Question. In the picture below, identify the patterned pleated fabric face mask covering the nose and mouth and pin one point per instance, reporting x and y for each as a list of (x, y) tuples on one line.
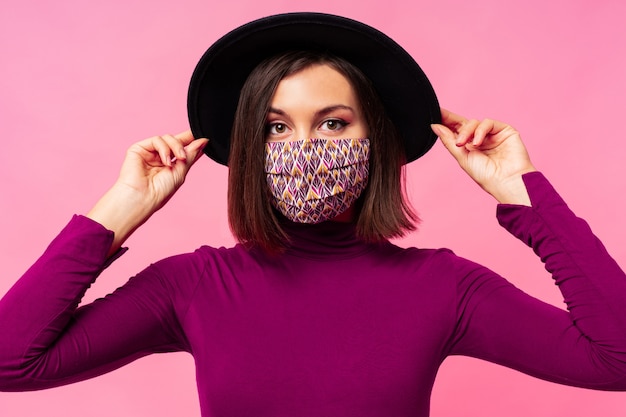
[(314, 180)]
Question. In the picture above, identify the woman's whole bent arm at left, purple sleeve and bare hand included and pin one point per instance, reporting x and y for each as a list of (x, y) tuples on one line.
[(45, 340)]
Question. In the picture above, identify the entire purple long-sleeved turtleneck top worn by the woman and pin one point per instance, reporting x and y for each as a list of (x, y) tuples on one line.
[(333, 327)]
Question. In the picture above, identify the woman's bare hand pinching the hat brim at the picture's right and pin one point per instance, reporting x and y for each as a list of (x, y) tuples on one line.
[(491, 152)]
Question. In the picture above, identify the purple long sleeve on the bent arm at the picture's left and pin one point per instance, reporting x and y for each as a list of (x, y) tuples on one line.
[(46, 341)]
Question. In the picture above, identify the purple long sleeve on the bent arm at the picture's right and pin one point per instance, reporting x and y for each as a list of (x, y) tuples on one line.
[(583, 346)]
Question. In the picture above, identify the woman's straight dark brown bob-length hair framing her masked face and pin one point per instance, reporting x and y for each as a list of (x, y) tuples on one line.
[(382, 211)]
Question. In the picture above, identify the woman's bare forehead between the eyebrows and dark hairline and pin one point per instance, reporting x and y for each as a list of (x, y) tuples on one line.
[(319, 83)]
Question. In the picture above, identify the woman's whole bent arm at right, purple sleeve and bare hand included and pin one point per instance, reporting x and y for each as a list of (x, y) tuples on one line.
[(583, 346)]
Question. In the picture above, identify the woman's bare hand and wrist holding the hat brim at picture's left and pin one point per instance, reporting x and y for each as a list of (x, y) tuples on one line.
[(151, 173)]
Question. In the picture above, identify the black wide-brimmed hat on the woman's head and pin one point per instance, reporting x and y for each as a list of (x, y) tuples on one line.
[(406, 93)]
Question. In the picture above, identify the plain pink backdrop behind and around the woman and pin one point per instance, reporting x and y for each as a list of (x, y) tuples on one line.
[(81, 80)]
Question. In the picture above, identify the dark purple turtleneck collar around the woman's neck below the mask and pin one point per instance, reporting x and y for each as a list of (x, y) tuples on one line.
[(326, 240)]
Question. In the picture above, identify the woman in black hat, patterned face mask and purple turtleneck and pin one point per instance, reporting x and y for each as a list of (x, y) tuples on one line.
[(315, 312)]
